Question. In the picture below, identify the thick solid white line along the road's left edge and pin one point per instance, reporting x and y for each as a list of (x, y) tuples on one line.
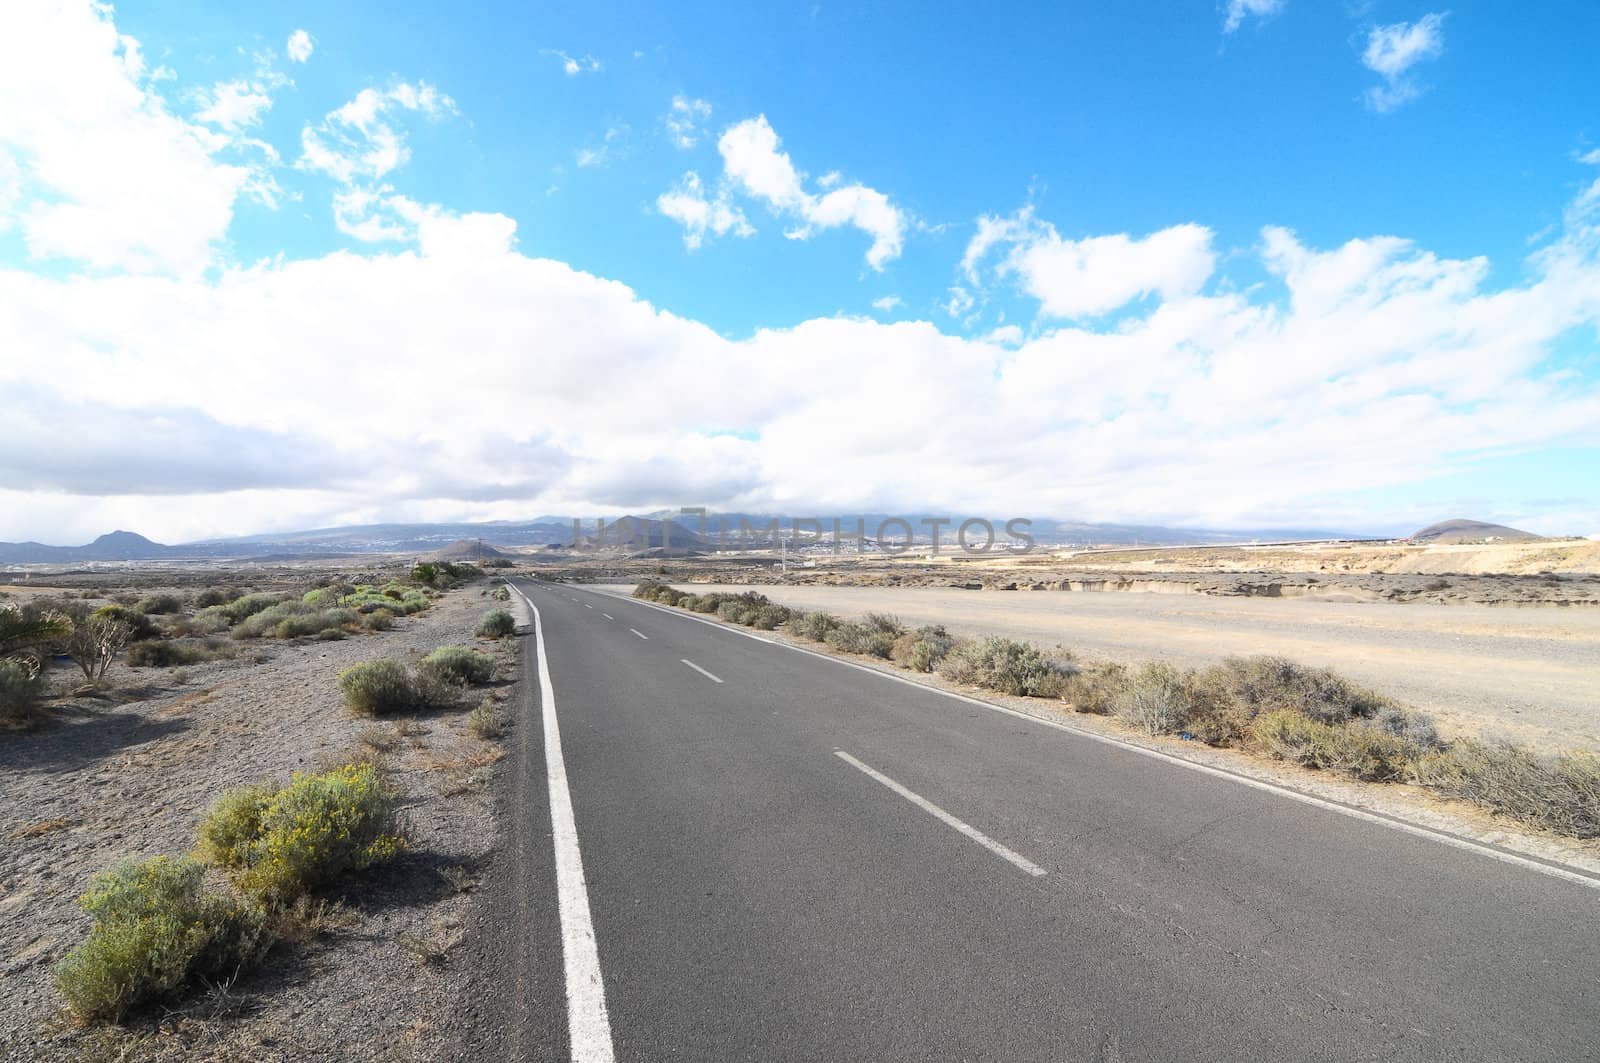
[(588, 1025)]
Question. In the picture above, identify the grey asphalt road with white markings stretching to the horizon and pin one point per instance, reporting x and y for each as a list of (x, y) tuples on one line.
[(790, 859)]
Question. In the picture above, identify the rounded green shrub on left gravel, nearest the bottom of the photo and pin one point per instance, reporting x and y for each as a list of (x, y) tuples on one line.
[(156, 931)]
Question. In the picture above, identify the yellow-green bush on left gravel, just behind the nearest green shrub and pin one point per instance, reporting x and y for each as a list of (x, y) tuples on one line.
[(306, 836)]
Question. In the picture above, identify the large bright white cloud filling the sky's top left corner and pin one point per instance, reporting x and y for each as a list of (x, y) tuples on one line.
[(108, 175)]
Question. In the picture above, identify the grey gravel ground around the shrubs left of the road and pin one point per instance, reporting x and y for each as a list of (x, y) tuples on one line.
[(130, 776)]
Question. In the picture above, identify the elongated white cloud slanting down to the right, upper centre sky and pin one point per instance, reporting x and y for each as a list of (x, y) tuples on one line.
[(753, 161)]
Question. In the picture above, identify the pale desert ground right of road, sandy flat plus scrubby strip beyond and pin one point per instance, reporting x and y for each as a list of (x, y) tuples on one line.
[(1492, 641)]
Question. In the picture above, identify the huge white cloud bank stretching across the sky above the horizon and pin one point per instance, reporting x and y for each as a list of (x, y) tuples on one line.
[(1369, 364)]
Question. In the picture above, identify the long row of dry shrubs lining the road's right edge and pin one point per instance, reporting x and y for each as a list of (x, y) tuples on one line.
[(1270, 707)]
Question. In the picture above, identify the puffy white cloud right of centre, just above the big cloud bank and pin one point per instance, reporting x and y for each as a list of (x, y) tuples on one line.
[(1098, 275)]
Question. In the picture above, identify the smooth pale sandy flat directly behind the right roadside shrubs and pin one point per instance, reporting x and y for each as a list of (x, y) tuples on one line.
[(1532, 675)]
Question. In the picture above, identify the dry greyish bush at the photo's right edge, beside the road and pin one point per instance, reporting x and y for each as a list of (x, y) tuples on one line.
[(1561, 793)]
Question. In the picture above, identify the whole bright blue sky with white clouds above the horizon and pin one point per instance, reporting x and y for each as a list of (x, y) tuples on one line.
[(1196, 228)]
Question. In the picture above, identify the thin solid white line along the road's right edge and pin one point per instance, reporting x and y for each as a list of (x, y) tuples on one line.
[(1556, 872)]
